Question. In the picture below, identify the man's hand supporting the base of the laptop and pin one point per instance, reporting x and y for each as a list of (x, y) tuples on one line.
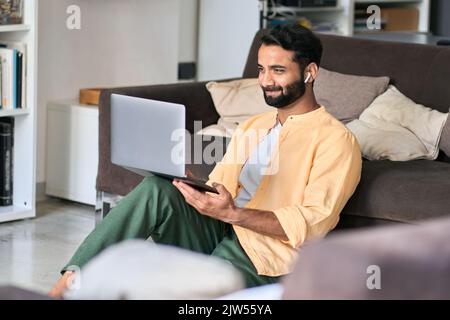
[(220, 207)]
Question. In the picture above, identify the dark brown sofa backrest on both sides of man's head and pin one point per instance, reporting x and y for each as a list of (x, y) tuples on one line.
[(421, 72)]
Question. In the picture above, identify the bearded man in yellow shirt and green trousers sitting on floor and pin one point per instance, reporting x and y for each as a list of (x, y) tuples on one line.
[(261, 216)]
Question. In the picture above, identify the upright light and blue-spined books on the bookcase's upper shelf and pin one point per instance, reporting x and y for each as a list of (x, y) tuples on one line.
[(12, 75)]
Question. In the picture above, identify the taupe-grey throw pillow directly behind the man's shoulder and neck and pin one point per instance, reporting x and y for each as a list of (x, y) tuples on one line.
[(346, 96)]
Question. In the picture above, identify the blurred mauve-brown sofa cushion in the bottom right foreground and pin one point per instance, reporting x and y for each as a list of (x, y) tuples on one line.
[(399, 262)]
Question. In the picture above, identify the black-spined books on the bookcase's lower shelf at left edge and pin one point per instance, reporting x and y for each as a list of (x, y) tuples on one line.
[(6, 160)]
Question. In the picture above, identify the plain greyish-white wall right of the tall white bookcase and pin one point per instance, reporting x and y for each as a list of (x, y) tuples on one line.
[(120, 43)]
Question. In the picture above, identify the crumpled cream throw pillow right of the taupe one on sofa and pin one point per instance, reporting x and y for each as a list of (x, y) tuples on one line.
[(396, 128)]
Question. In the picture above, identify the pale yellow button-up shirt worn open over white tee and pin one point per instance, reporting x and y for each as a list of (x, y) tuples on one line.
[(313, 172)]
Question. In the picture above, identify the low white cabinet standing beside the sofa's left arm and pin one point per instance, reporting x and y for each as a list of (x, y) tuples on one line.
[(72, 151)]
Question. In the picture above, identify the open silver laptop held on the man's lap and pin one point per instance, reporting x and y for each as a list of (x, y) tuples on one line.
[(148, 138)]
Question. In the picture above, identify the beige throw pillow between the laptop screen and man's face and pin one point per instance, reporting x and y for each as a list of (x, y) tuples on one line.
[(235, 102)]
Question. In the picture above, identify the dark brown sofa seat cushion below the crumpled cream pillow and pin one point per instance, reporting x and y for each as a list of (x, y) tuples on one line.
[(402, 191)]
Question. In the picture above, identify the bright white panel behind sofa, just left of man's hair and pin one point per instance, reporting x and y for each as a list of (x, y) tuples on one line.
[(226, 30)]
